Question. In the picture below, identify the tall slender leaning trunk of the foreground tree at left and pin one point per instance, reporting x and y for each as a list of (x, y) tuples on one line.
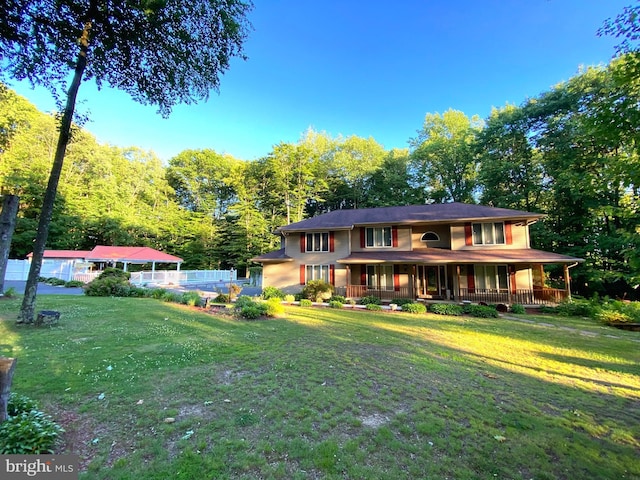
[(27, 310)]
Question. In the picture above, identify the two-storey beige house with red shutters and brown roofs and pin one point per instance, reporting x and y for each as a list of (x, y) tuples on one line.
[(451, 251)]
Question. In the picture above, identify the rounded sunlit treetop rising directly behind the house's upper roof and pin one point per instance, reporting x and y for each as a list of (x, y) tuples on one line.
[(442, 161)]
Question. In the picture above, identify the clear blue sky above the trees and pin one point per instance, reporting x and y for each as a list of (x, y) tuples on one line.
[(367, 68)]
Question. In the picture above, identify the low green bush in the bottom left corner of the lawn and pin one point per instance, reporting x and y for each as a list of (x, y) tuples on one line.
[(27, 430)]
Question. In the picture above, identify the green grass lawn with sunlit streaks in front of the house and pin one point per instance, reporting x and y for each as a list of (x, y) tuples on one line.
[(327, 393)]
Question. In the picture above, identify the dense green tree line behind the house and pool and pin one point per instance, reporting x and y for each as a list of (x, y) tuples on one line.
[(570, 152)]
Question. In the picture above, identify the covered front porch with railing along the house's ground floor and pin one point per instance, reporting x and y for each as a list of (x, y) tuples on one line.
[(492, 277)]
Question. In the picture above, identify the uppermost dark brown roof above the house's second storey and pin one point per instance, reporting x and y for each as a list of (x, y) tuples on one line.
[(410, 214)]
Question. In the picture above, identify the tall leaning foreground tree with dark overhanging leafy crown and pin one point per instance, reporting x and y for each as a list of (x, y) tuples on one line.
[(160, 52)]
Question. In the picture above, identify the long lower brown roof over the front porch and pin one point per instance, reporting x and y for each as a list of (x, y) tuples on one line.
[(441, 256)]
